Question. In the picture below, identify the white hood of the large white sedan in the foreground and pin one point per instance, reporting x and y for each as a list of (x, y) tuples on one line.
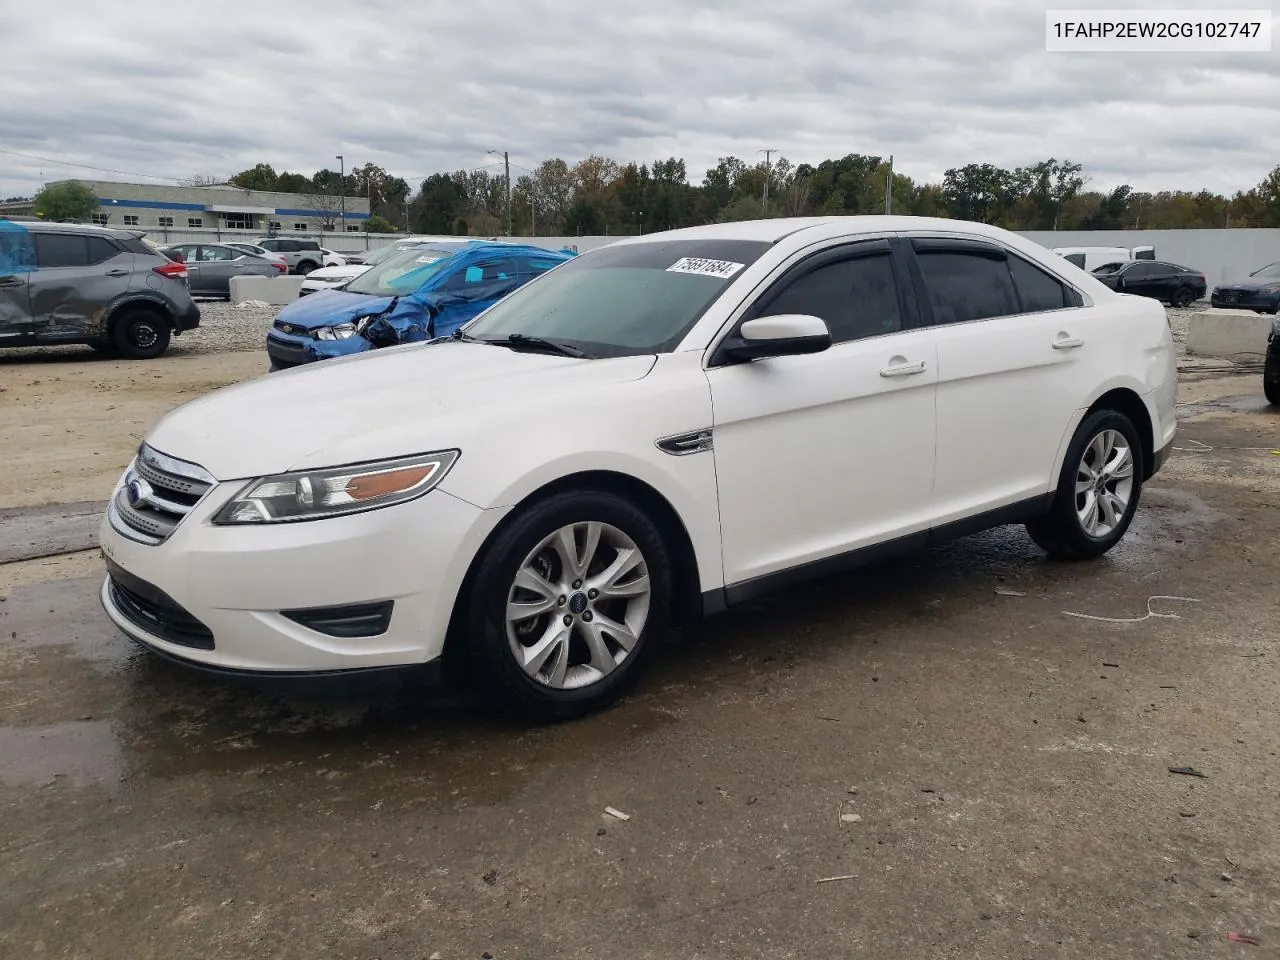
[(371, 406)]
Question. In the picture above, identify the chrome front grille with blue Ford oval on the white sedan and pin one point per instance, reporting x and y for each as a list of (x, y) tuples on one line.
[(157, 495)]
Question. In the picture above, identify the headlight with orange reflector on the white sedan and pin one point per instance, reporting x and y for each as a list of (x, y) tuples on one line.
[(313, 495)]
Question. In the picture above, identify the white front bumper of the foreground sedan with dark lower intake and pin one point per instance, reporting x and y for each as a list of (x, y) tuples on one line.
[(228, 598)]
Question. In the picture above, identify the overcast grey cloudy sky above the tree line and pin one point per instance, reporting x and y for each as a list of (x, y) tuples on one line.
[(172, 90)]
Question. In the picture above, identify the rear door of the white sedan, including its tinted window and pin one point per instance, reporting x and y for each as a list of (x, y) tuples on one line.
[(1017, 356)]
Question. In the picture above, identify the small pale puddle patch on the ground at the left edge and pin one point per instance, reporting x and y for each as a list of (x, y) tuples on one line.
[(81, 753)]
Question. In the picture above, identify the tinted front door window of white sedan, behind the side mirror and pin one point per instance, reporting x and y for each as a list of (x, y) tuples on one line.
[(857, 298)]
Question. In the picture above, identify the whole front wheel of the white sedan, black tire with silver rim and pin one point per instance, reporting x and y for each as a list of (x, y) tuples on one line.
[(572, 678)]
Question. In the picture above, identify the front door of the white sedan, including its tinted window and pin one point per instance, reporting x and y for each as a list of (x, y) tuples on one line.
[(821, 455)]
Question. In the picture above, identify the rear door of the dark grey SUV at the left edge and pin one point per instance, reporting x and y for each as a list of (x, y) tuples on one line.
[(76, 276)]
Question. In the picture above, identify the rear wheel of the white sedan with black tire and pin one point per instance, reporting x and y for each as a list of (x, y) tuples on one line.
[(1063, 533)]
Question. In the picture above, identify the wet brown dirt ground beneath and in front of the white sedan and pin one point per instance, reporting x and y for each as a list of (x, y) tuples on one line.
[(985, 775)]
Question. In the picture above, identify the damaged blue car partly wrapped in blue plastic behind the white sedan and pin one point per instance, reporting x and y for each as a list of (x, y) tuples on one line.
[(427, 292)]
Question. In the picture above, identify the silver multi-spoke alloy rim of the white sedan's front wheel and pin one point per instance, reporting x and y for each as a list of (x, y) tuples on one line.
[(578, 606)]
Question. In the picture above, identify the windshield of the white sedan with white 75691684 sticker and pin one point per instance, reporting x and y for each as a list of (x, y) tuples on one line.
[(623, 300)]
